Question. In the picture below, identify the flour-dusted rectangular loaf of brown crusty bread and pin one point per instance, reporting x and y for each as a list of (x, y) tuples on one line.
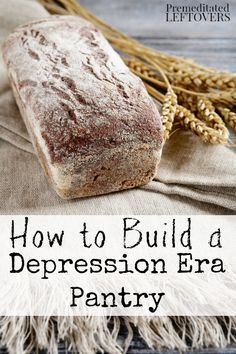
[(92, 123)]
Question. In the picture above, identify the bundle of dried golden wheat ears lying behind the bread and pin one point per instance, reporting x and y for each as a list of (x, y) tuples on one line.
[(195, 97)]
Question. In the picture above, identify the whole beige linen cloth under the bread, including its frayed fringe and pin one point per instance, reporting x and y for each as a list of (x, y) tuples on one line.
[(193, 178)]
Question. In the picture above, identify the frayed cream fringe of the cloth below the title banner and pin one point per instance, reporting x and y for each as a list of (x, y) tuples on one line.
[(90, 335)]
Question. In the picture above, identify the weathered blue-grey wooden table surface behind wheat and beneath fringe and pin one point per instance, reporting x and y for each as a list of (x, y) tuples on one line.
[(212, 44)]
